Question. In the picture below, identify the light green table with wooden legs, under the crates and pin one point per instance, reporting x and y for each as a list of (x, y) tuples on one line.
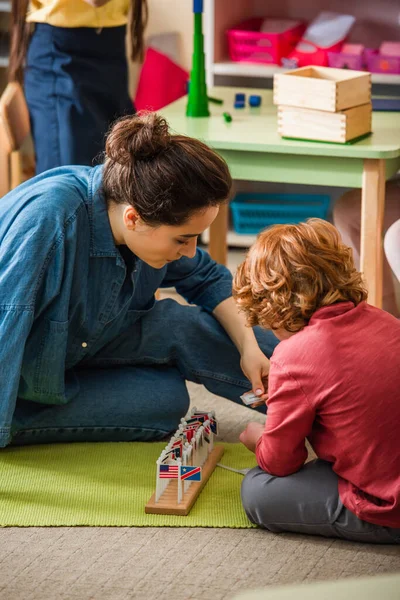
[(253, 150)]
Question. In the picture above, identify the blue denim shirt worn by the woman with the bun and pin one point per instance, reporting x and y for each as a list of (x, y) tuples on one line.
[(65, 290)]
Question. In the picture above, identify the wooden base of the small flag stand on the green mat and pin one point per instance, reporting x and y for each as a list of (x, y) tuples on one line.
[(167, 504)]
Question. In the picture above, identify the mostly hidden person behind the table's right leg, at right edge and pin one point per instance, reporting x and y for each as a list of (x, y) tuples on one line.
[(347, 219)]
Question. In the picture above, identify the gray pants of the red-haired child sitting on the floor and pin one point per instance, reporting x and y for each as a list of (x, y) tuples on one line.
[(307, 502)]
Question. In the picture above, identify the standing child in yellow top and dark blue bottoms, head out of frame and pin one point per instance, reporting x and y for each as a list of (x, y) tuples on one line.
[(76, 73)]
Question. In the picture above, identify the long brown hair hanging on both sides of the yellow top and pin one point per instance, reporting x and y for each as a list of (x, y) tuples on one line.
[(20, 33)]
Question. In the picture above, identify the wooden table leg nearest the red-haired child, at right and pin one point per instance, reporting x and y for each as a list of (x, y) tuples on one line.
[(372, 209)]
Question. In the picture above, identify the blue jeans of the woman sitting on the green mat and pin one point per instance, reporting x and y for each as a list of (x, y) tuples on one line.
[(134, 388)]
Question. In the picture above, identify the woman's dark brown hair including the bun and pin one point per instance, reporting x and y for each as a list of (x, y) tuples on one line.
[(166, 177)]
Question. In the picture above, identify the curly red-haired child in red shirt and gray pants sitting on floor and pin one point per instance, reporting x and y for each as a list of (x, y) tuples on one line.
[(334, 380)]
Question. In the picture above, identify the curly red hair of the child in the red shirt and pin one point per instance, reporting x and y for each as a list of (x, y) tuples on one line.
[(293, 270)]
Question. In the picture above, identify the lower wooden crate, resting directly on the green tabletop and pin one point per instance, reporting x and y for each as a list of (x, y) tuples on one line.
[(323, 126)]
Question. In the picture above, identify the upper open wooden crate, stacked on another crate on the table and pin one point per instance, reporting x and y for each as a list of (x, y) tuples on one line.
[(322, 88)]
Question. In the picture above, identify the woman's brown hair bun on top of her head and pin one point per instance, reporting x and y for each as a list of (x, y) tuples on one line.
[(139, 137)]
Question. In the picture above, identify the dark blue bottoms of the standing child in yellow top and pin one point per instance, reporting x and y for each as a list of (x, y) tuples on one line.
[(76, 85)]
